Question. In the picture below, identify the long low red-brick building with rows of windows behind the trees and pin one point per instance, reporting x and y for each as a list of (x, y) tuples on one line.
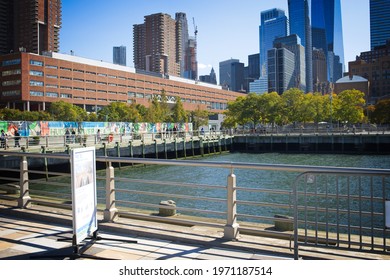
[(31, 82)]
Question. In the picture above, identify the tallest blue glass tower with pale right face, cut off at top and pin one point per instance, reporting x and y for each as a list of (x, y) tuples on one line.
[(327, 35)]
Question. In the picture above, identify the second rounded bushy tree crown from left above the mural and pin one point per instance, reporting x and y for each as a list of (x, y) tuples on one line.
[(119, 112)]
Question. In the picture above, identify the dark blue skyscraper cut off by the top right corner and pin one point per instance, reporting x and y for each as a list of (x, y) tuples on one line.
[(379, 22)]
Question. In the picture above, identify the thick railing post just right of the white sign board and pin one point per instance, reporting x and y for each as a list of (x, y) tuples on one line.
[(110, 213)]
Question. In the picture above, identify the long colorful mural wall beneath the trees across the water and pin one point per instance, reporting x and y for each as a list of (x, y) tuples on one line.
[(45, 128)]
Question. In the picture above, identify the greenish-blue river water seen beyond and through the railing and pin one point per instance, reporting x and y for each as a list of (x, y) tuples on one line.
[(245, 178)]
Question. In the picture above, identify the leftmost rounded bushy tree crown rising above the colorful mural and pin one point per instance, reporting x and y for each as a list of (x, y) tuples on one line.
[(63, 111)]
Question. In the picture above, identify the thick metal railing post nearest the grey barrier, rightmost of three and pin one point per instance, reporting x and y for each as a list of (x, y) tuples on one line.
[(231, 228)]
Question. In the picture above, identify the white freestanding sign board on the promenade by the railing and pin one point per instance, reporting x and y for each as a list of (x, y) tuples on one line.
[(84, 202)]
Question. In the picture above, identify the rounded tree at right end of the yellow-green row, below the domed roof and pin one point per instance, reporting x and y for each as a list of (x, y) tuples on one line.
[(350, 106)]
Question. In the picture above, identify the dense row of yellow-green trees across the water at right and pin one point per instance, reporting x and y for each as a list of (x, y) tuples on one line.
[(295, 106)]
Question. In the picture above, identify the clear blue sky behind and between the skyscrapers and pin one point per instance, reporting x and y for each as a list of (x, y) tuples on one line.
[(226, 28)]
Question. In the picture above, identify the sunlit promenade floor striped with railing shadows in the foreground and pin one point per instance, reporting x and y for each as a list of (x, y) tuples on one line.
[(29, 233)]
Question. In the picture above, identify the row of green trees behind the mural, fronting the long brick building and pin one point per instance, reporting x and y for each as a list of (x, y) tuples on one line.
[(158, 111)]
